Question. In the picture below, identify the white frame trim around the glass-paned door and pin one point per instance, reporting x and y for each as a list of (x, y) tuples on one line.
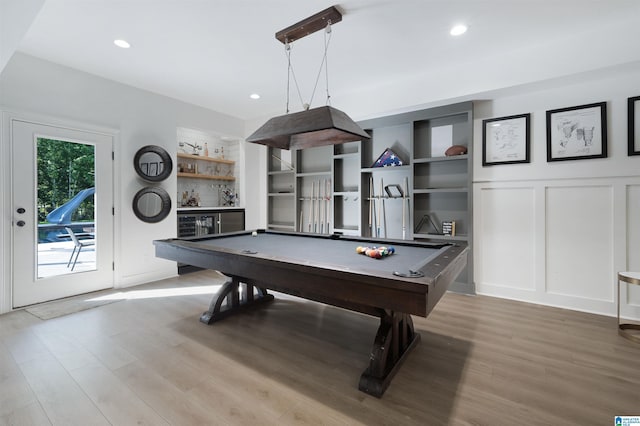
[(6, 184)]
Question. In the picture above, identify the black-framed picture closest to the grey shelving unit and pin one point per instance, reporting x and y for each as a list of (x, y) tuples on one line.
[(505, 140)]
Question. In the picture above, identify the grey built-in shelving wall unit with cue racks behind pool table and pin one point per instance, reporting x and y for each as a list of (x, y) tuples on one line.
[(422, 194)]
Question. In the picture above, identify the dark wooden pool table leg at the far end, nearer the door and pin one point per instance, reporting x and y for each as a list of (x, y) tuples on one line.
[(235, 299)]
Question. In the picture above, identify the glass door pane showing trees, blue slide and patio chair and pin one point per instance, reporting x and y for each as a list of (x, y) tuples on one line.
[(65, 205)]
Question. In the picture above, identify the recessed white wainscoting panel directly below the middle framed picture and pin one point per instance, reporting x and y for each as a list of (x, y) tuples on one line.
[(579, 241)]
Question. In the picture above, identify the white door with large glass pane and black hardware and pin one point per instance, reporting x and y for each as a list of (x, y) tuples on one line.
[(62, 208)]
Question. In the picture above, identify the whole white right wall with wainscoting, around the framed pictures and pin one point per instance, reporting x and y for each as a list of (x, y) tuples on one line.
[(557, 233)]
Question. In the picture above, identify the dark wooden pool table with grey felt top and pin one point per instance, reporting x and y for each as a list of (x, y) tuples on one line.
[(327, 269)]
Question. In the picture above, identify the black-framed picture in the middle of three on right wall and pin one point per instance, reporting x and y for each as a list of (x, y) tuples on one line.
[(577, 133)]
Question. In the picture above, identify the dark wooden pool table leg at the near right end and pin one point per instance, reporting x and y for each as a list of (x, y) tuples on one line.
[(394, 340)]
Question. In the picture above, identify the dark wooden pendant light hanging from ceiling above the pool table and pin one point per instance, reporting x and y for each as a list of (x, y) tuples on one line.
[(311, 127)]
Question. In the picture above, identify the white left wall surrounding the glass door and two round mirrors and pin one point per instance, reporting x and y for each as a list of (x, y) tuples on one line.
[(33, 86)]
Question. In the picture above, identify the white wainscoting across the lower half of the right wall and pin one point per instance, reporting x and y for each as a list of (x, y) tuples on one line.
[(559, 242)]
